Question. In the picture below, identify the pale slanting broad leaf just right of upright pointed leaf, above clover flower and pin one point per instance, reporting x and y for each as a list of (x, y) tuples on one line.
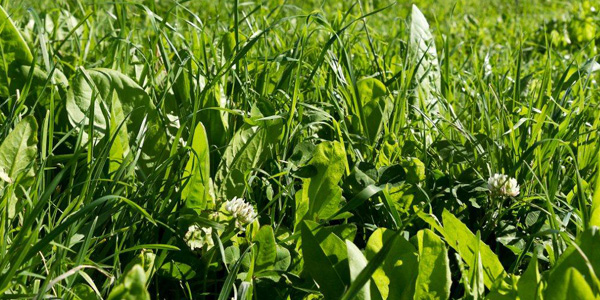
[(248, 149)]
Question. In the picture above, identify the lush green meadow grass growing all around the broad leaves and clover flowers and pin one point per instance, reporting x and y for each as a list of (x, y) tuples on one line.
[(518, 96)]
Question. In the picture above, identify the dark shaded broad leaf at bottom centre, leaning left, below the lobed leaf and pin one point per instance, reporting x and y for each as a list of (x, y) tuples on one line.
[(318, 265)]
